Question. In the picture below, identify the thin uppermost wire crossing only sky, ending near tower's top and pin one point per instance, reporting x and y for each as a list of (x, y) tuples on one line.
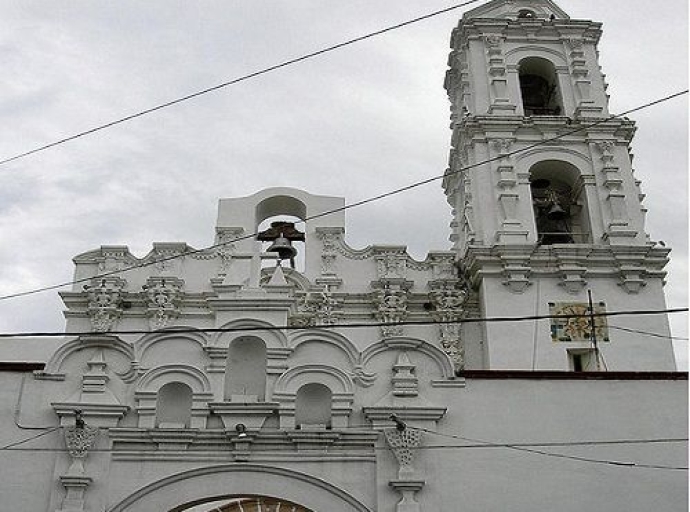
[(237, 80)]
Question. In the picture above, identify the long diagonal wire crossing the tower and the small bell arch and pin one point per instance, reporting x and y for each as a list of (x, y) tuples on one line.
[(343, 208)]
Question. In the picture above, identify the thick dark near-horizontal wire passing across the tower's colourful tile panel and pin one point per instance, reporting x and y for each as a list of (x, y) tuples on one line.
[(353, 325)]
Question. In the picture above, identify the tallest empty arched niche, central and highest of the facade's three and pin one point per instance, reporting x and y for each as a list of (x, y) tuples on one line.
[(245, 371)]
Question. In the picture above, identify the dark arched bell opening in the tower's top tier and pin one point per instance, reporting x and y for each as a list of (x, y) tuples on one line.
[(541, 95)]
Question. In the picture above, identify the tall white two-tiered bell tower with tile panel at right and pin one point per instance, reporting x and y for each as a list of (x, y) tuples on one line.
[(547, 209)]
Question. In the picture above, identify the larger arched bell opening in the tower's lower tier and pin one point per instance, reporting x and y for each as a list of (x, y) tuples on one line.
[(559, 205)]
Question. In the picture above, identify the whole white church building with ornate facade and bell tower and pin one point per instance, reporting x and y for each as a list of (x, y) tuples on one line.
[(281, 370)]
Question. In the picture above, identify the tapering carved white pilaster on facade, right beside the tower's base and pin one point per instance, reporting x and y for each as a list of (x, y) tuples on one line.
[(447, 301)]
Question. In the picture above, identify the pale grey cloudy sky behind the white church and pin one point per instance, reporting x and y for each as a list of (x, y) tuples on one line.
[(355, 123)]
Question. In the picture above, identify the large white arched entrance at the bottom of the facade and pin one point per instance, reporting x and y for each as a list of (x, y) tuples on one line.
[(236, 482)]
